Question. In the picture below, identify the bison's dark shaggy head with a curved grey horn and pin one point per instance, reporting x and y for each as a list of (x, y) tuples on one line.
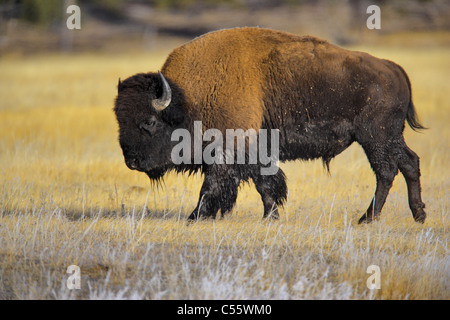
[(147, 110)]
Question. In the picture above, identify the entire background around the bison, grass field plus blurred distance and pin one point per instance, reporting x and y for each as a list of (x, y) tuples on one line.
[(60, 161)]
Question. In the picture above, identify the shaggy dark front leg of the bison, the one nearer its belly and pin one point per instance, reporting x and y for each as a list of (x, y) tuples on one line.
[(273, 191)]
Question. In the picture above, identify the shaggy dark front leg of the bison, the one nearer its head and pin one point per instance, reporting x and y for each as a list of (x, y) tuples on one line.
[(219, 191)]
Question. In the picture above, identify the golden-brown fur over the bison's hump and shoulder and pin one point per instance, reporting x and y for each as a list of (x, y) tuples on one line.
[(232, 94)]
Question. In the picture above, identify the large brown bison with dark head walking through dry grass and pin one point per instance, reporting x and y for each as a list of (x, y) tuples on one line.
[(321, 98)]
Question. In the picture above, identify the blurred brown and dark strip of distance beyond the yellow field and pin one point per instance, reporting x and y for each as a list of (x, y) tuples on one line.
[(30, 26)]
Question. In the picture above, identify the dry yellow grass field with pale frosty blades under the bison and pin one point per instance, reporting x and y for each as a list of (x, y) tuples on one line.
[(67, 198)]
